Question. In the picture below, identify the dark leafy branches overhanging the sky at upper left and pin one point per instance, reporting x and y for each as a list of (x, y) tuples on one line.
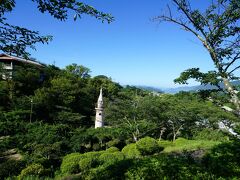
[(15, 40)]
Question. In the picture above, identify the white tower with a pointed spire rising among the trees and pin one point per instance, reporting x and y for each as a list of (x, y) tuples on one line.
[(99, 121)]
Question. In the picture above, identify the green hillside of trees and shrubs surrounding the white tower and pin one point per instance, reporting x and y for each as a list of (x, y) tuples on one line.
[(47, 120)]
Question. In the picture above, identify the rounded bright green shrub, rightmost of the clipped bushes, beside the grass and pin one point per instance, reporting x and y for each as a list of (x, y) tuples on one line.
[(148, 146)]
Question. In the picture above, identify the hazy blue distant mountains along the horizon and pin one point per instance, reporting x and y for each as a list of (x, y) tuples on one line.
[(185, 88)]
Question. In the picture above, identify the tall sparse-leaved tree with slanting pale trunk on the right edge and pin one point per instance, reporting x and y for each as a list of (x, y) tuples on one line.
[(217, 28)]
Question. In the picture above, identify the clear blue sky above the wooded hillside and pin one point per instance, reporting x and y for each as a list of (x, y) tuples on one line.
[(131, 50)]
